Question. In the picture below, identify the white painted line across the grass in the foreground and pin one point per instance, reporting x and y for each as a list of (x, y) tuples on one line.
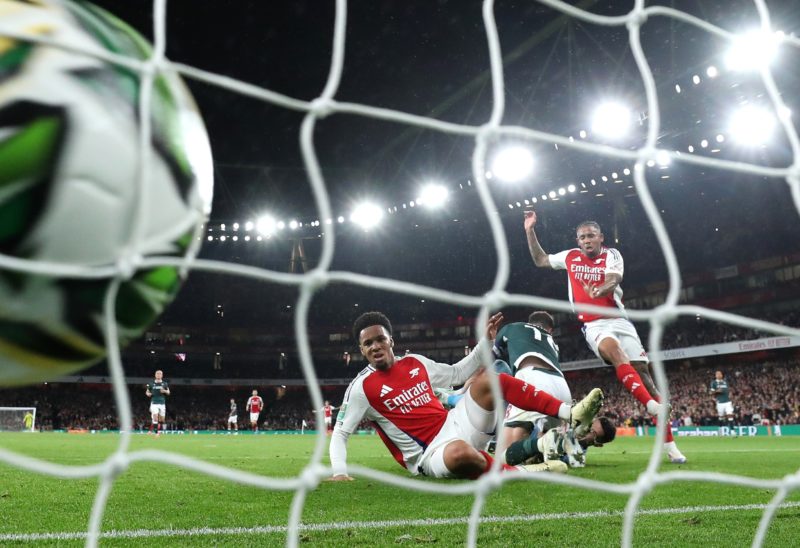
[(317, 527)]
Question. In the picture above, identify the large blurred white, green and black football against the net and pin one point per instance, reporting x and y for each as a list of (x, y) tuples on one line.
[(70, 191)]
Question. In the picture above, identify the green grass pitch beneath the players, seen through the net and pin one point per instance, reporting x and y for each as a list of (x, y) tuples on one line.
[(152, 497)]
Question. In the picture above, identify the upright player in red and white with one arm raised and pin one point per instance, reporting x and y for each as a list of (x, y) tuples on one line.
[(594, 275)]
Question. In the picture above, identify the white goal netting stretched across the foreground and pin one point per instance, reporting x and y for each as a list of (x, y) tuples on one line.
[(496, 298)]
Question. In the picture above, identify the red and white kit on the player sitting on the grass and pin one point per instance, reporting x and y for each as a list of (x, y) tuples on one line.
[(406, 414)]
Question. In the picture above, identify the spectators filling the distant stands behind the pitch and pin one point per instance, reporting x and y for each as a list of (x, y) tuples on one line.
[(765, 392)]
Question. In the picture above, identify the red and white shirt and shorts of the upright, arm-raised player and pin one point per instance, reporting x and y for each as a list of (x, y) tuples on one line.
[(582, 269)]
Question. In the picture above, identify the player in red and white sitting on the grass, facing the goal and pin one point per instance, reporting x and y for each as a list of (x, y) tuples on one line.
[(397, 395)]
